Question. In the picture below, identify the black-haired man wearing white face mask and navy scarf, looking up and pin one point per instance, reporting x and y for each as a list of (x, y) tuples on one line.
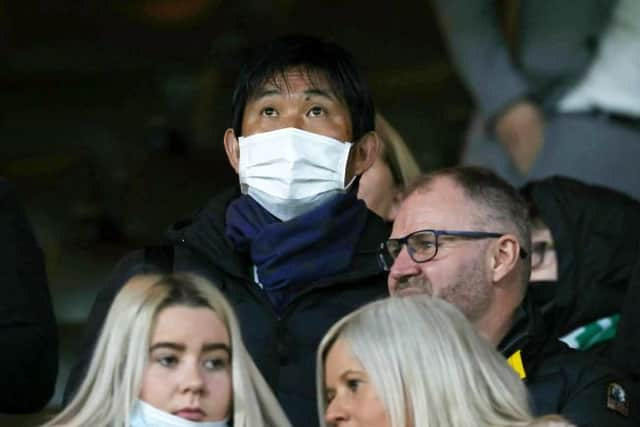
[(292, 247)]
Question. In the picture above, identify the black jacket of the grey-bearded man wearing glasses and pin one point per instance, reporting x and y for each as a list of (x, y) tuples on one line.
[(559, 379)]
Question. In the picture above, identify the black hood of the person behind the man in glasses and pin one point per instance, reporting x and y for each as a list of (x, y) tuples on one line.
[(596, 232)]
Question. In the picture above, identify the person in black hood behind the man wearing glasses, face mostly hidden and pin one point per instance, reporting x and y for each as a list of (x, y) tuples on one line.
[(585, 266)]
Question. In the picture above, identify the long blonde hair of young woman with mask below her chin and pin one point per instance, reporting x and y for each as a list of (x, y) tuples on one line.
[(108, 392)]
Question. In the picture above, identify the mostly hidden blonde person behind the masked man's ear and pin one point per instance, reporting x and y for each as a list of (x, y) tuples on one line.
[(381, 185)]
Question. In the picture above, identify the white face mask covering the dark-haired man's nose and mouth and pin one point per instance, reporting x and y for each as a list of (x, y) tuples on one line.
[(291, 171)]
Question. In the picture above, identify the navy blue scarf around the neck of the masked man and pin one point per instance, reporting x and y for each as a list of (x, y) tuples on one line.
[(288, 255)]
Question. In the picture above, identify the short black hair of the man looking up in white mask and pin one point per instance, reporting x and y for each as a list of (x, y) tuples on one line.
[(315, 58)]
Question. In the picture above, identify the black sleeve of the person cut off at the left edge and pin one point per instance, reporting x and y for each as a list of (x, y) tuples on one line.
[(28, 335)]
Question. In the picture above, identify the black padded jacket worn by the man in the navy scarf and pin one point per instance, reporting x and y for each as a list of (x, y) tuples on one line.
[(282, 346)]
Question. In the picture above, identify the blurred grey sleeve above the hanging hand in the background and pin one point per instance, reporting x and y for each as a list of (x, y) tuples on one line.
[(479, 51)]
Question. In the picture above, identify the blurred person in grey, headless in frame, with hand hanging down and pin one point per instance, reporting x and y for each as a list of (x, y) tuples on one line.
[(556, 85)]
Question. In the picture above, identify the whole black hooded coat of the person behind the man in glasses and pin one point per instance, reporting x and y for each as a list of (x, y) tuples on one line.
[(596, 233)]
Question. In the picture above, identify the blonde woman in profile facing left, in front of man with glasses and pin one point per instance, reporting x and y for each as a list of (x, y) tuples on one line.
[(416, 361)]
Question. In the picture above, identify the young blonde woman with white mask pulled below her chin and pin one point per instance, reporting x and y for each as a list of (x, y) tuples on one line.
[(171, 354)]
